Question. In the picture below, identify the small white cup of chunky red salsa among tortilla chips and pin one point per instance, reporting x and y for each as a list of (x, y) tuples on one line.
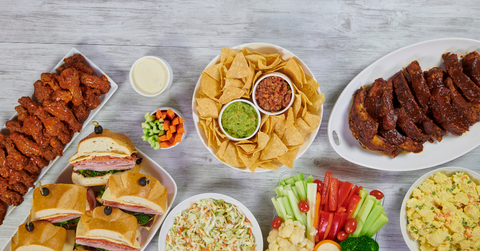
[(273, 93)]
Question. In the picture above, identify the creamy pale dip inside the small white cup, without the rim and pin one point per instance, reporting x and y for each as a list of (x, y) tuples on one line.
[(149, 75)]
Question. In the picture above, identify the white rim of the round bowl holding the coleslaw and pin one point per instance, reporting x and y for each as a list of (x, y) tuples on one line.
[(187, 202)]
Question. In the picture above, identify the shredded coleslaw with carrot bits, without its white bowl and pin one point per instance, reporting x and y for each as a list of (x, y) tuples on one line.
[(210, 224)]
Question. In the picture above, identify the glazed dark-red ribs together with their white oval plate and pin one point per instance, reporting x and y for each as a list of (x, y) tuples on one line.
[(424, 92)]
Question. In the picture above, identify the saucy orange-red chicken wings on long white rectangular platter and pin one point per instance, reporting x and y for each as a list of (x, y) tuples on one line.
[(63, 103)]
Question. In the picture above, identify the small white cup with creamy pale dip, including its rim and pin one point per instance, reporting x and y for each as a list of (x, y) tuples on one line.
[(151, 76)]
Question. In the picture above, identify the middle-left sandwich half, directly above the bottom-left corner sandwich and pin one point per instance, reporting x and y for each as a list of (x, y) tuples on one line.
[(61, 204)]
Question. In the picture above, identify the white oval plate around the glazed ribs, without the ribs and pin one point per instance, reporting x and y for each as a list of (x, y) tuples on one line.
[(428, 54)]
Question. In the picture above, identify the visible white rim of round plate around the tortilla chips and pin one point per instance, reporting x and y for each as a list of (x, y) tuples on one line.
[(267, 49)]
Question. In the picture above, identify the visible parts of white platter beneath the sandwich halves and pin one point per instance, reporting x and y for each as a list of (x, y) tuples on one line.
[(148, 166)]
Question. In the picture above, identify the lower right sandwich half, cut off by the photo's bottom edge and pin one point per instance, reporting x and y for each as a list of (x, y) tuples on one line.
[(114, 231)]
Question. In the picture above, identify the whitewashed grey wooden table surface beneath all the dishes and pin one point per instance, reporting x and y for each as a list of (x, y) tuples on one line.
[(336, 39)]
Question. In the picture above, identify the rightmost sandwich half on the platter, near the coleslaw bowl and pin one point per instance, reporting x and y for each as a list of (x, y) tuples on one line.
[(145, 199)]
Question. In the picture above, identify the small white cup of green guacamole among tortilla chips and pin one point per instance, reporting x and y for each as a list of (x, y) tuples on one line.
[(239, 119)]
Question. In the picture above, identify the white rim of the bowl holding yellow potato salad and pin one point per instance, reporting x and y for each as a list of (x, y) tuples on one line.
[(411, 243)]
